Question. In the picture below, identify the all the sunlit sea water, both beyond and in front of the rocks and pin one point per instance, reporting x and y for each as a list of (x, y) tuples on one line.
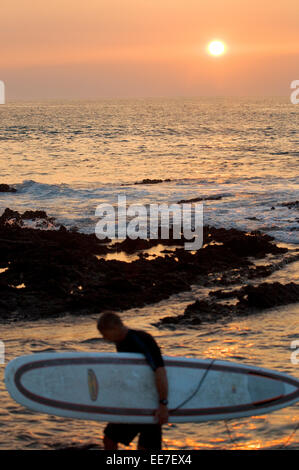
[(68, 157)]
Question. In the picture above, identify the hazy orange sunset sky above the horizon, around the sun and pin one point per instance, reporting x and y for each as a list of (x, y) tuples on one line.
[(144, 48)]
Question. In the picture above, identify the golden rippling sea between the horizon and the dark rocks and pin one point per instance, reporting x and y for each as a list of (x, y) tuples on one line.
[(68, 157)]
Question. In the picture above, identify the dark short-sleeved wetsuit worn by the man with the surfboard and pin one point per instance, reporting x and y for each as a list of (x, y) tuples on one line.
[(137, 341)]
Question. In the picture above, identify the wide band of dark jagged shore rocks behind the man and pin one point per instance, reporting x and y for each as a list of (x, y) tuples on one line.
[(45, 273)]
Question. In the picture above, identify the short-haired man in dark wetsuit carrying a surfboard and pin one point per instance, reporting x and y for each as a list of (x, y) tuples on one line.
[(112, 328)]
